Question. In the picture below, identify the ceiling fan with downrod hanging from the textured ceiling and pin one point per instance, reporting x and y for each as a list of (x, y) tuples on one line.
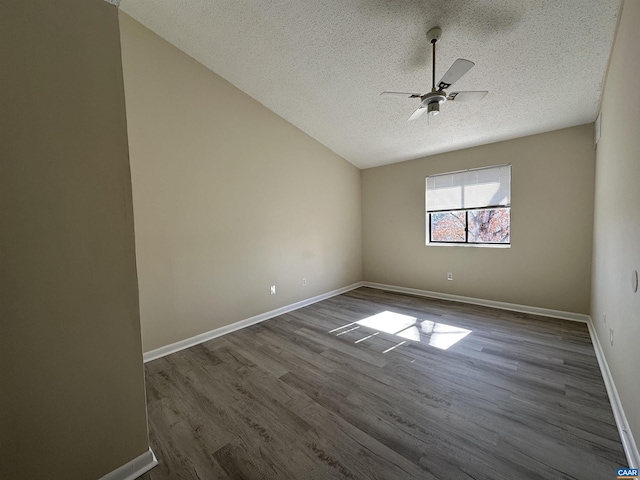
[(430, 102)]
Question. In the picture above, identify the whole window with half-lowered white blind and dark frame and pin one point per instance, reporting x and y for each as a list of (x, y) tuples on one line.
[(469, 207)]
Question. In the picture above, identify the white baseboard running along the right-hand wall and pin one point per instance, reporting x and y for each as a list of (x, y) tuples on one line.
[(628, 442)]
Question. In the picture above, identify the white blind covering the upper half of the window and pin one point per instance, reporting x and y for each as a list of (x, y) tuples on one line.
[(477, 188)]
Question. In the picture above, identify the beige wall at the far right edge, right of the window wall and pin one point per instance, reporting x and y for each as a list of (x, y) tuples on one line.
[(616, 250)]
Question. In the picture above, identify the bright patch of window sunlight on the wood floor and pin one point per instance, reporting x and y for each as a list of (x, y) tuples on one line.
[(436, 334)]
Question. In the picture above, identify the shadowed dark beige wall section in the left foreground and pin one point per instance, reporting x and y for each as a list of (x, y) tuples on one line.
[(72, 392)]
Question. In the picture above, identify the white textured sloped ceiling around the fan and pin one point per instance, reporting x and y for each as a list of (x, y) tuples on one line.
[(322, 64)]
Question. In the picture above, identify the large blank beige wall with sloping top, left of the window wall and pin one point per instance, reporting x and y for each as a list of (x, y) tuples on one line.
[(228, 198)]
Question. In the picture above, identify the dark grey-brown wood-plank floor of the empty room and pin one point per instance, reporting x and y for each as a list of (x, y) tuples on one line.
[(303, 396)]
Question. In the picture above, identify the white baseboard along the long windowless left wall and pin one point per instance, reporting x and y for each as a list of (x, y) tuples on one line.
[(203, 337)]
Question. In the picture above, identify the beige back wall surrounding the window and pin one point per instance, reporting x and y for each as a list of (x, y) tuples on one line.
[(548, 264)]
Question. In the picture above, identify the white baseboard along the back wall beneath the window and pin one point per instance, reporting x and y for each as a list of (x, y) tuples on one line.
[(514, 307)]
